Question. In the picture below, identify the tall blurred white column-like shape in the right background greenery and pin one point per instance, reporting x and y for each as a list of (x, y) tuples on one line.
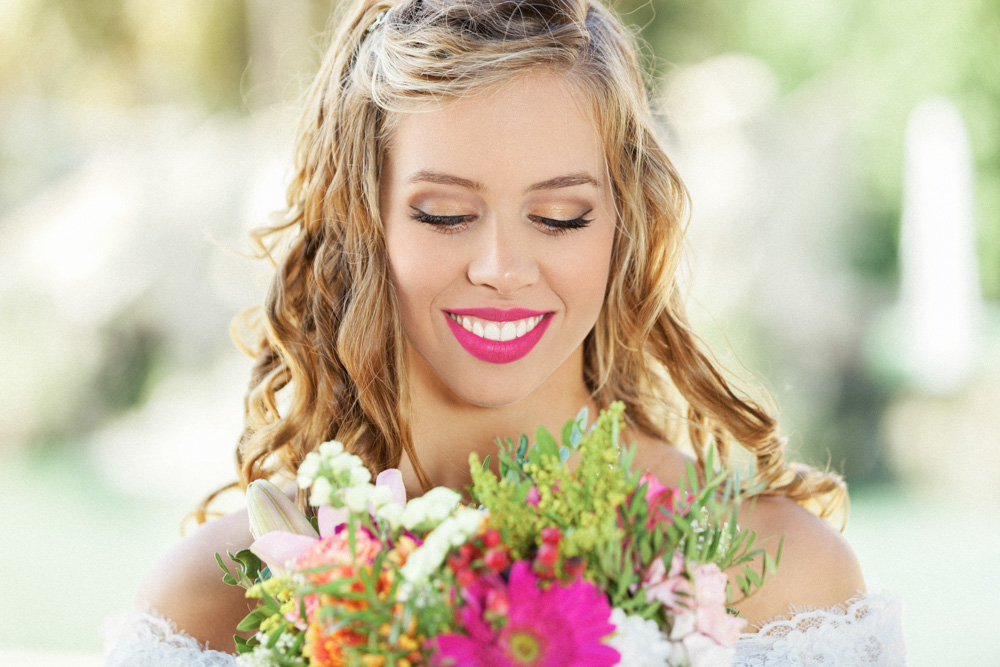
[(941, 305)]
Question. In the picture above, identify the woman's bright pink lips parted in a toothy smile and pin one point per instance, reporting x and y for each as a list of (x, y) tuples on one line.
[(497, 336)]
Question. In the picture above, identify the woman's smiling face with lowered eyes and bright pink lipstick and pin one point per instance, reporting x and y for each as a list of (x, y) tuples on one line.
[(499, 223)]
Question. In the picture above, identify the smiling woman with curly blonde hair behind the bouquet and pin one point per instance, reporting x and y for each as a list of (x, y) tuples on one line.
[(485, 232)]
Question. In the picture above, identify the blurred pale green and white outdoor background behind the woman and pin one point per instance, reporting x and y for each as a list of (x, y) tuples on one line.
[(844, 163)]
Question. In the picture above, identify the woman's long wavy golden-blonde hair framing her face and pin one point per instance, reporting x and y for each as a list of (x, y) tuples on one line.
[(328, 334)]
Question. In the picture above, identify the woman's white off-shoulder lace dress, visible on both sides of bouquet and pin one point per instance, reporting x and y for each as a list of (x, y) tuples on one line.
[(867, 631)]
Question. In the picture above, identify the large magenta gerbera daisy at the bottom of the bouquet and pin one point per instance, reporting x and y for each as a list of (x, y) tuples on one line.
[(557, 626)]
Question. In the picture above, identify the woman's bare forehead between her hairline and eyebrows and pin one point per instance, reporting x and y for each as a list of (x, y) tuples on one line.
[(535, 127)]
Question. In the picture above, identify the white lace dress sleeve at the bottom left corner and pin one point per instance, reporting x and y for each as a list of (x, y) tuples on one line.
[(147, 639)]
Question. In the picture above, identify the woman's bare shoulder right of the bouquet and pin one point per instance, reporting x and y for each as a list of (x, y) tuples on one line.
[(818, 568)]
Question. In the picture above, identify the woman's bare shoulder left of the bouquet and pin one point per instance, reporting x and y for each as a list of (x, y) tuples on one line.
[(185, 585)]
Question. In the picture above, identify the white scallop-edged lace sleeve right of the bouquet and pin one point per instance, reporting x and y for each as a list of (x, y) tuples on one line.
[(866, 630)]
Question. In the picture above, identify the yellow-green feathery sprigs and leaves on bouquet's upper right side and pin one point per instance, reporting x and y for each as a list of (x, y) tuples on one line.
[(600, 506)]
